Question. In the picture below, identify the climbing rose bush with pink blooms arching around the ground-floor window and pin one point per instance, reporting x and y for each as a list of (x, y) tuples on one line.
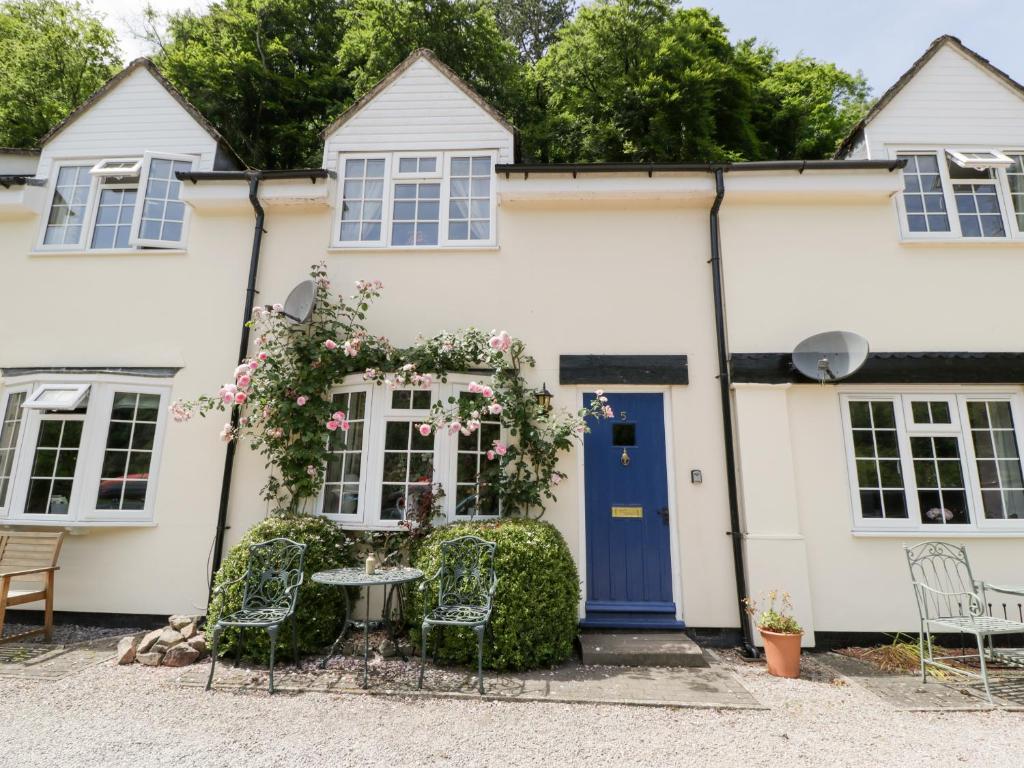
[(280, 400)]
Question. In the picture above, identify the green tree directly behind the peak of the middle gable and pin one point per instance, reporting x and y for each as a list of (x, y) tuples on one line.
[(462, 33)]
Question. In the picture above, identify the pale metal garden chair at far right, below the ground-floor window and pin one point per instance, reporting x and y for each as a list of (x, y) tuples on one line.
[(951, 601)]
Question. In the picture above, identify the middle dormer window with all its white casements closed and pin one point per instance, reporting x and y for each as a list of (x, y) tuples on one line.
[(421, 200)]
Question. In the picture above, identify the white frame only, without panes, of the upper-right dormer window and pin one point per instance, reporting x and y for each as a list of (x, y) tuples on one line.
[(956, 235)]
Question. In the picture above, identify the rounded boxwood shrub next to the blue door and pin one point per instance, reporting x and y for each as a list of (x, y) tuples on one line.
[(534, 623)]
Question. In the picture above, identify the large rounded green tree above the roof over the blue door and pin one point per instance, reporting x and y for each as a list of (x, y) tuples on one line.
[(643, 80)]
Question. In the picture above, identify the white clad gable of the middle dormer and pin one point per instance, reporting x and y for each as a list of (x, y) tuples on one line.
[(421, 110)]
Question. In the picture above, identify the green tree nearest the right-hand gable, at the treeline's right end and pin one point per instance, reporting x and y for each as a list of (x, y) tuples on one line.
[(803, 108)]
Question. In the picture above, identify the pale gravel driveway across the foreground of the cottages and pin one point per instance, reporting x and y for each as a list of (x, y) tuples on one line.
[(109, 716)]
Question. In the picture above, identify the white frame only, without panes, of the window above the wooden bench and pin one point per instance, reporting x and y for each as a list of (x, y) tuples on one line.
[(96, 424)]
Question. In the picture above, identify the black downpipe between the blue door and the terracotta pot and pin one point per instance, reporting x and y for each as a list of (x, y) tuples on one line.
[(726, 387)]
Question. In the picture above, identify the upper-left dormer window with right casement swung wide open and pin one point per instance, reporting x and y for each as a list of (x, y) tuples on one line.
[(117, 204)]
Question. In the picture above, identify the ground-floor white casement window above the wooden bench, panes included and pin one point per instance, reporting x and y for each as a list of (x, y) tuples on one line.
[(84, 461)]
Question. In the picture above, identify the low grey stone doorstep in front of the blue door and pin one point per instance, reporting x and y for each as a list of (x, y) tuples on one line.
[(641, 650)]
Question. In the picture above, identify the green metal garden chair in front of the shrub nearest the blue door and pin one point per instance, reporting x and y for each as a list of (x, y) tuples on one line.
[(466, 585)]
